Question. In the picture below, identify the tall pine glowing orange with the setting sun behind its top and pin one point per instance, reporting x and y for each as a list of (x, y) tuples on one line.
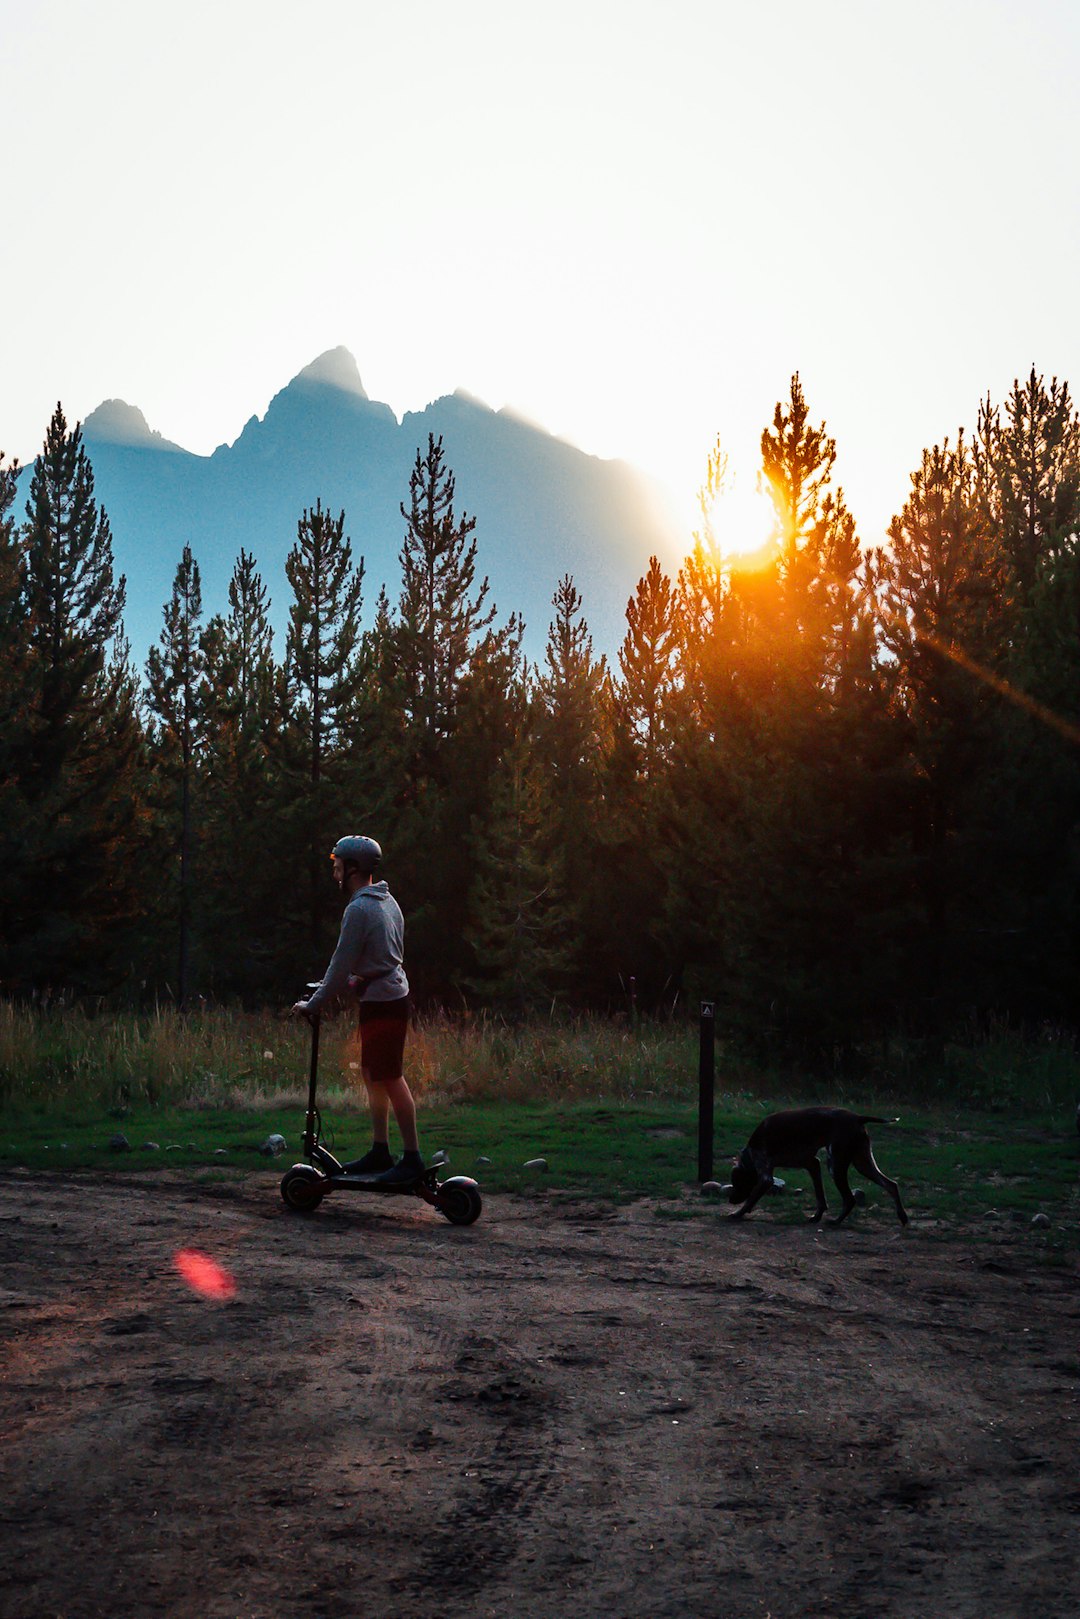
[(780, 763)]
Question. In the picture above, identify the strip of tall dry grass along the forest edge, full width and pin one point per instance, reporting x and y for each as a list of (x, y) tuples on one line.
[(66, 1058)]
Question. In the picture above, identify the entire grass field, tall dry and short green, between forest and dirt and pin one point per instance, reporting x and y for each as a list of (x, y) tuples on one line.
[(613, 1110)]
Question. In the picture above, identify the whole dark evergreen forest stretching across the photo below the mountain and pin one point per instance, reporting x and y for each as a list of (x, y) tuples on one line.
[(835, 788)]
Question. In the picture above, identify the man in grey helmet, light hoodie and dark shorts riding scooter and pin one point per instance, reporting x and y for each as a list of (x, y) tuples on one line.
[(368, 962)]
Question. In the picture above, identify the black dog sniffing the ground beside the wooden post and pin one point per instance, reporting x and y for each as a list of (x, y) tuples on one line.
[(793, 1141)]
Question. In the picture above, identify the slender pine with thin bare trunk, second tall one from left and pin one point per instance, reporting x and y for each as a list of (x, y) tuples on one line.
[(174, 676)]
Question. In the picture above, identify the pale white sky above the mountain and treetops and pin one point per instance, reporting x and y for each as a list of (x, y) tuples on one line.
[(627, 219)]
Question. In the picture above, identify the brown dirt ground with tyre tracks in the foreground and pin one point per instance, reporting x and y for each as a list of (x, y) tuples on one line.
[(564, 1409)]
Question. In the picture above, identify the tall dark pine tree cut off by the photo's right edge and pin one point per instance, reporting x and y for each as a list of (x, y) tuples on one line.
[(1029, 482)]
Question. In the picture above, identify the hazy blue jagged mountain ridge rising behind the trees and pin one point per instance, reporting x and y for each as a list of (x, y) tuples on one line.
[(542, 506)]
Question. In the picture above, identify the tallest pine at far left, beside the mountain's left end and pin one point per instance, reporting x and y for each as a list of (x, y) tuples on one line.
[(80, 780)]
